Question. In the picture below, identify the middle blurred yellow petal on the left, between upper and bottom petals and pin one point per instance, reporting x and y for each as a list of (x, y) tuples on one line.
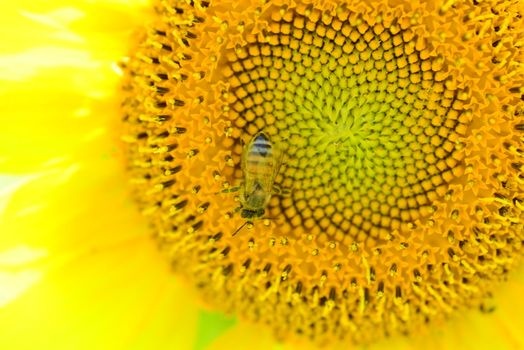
[(74, 207)]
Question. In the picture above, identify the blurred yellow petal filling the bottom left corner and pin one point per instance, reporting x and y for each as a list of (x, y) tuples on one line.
[(119, 296)]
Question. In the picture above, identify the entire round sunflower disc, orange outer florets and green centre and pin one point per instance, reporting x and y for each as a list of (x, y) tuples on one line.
[(401, 126)]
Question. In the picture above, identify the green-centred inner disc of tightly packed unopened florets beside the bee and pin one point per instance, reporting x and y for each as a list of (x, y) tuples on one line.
[(368, 122)]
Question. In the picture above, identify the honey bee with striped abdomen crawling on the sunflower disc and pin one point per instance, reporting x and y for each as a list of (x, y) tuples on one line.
[(261, 160)]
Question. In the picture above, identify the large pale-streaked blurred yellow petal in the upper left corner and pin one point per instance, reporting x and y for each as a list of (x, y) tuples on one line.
[(58, 79)]
